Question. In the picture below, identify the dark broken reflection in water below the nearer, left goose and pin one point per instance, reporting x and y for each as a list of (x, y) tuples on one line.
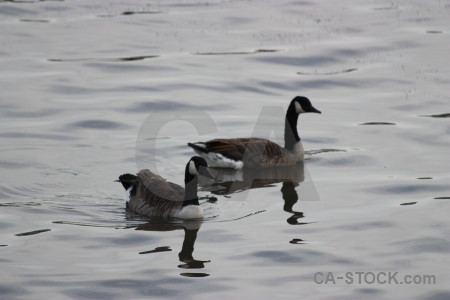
[(185, 256)]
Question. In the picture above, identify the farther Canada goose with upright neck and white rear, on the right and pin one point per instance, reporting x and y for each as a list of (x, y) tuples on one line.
[(256, 152)]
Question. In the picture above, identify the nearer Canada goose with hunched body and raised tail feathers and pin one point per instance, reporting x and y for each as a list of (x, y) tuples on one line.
[(151, 195)]
